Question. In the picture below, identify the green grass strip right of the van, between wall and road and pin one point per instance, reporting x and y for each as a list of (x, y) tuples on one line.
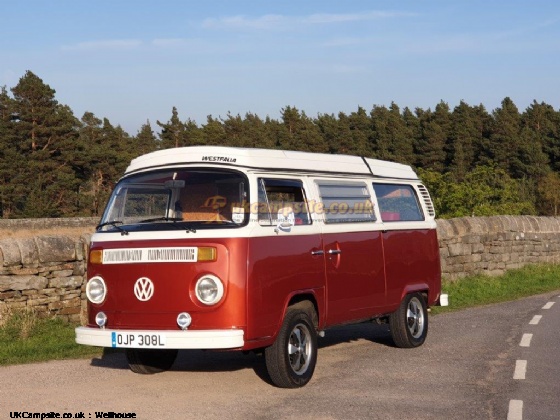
[(514, 284)]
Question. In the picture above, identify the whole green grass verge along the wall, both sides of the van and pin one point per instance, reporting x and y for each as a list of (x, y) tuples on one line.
[(26, 338)]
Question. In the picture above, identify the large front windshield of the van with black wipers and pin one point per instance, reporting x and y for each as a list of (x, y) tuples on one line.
[(177, 199)]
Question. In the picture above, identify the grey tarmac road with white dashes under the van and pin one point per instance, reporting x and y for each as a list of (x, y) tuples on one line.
[(465, 370)]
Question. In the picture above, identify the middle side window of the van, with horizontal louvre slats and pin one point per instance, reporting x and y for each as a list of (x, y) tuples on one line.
[(346, 202)]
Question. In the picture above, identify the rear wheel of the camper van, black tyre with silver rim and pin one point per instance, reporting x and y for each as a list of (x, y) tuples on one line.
[(409, 323)]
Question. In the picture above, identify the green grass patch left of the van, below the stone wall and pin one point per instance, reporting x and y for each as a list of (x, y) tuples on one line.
[(25, 338)]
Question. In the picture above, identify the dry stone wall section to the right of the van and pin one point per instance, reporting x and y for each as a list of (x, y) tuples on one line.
[(492, 245)]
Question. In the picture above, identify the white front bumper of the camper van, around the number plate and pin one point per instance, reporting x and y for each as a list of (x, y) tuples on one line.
[(207, 339)]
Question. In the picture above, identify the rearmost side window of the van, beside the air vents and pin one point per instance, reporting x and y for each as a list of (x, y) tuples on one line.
[(398, 203)]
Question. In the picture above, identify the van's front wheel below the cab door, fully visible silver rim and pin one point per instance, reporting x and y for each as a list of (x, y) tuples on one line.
[(291, 360)]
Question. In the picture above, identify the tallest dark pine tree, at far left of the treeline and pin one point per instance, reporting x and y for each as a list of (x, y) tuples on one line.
[(47, 134)]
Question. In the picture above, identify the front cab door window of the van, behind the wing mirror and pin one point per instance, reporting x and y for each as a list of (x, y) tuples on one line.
[(281, 199)]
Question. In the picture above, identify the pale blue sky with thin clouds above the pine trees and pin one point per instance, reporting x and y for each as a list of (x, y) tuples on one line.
[(131, 61)]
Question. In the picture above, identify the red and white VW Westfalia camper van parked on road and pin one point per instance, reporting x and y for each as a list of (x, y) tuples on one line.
[(250, 249)]
